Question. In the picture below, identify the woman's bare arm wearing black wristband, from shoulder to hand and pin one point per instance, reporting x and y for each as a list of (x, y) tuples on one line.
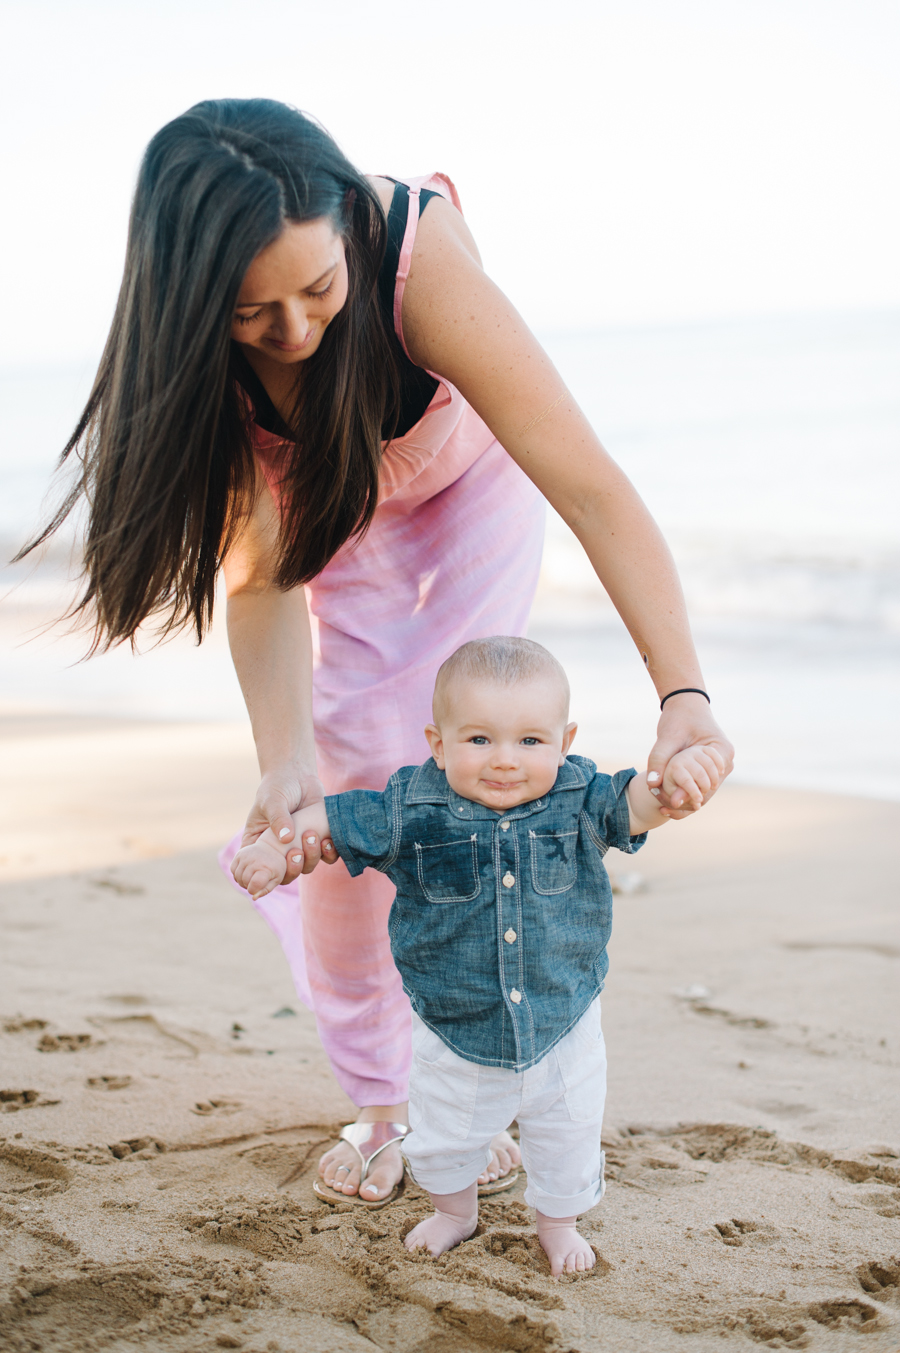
[(457, 323)]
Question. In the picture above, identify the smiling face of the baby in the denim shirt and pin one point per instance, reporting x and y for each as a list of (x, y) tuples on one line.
[(503, 746)]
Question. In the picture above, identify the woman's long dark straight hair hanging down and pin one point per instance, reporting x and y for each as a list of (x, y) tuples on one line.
[(164, 447)]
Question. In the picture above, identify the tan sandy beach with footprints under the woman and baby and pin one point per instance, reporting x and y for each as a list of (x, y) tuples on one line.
[(166, 1097)]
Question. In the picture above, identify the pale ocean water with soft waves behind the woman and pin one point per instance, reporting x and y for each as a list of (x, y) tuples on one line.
[(769, 453)]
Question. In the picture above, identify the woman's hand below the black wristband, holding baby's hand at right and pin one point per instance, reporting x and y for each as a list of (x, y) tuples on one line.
[(687, 722)]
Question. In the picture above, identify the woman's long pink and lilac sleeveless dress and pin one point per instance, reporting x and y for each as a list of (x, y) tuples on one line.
[(453, 554)]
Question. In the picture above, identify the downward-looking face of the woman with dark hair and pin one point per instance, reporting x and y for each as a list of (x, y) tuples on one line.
[(292, 293)]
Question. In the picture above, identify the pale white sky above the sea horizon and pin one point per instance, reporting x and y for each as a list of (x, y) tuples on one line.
[(621, 162)]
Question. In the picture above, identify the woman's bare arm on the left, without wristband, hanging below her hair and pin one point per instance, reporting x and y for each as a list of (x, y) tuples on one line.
[(273, 651)]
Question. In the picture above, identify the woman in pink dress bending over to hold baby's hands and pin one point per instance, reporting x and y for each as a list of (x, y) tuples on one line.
[(312, 385)]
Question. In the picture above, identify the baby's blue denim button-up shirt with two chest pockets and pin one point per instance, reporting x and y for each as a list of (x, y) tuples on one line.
[(501, 921)]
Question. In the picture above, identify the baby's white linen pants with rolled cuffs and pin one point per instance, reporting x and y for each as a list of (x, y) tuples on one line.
[(457, 1107)]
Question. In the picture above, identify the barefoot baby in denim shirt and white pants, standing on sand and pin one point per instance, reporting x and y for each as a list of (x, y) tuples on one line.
[(500, 932)]
